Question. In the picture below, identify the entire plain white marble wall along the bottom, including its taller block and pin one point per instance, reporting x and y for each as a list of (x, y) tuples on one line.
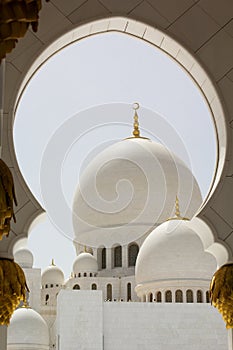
[(85, 321)]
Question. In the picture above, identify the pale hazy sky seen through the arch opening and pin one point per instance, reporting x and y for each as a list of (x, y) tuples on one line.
[(79, 102)]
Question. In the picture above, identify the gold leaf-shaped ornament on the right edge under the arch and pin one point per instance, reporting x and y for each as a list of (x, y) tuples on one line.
[(221, 293)]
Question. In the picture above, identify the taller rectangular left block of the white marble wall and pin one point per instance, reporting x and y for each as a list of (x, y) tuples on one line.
[(80, 320)]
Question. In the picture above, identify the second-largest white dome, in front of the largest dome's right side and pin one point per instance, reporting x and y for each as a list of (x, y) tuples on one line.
[(173, 251)]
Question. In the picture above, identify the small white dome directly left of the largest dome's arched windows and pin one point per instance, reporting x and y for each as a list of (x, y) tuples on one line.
[(85, 262)]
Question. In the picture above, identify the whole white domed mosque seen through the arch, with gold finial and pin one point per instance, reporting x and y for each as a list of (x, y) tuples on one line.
[(141, 266)]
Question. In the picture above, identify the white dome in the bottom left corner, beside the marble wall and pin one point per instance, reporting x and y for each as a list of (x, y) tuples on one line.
[(27, 329)]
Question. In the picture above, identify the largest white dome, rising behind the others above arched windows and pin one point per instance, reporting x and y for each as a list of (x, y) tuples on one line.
[(128, 189)]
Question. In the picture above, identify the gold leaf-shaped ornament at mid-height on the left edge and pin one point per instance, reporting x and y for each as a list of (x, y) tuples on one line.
[(7, 197)]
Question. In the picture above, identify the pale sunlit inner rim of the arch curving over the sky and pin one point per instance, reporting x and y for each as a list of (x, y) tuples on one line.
[(164, 43)]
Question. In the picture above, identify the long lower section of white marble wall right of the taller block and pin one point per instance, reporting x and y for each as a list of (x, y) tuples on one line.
[(150, 326)]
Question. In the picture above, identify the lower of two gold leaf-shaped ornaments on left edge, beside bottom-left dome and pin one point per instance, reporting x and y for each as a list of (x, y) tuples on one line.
[(13, 289)]
